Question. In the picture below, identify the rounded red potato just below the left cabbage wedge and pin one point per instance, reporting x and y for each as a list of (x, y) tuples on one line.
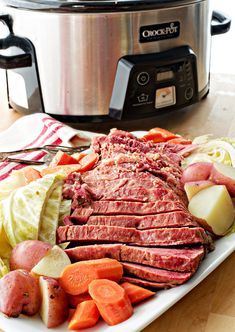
[(27, 254)]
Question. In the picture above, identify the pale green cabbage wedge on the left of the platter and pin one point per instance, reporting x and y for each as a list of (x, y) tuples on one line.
[(22, 211)]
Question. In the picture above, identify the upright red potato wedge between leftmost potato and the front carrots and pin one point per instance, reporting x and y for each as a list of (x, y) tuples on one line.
[(54, 308)]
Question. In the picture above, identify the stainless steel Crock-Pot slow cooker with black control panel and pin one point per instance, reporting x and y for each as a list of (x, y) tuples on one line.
[(96, 60)]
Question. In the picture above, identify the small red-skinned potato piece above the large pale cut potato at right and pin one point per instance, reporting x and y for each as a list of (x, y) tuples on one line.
[(196, 172)]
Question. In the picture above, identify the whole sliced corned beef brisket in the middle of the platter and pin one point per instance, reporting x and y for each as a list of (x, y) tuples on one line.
[(132, 207)]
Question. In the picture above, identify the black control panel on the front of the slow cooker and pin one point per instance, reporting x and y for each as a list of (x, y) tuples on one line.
[(150, 83)]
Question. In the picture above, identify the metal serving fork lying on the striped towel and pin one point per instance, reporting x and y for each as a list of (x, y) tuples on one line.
[(49, 148)]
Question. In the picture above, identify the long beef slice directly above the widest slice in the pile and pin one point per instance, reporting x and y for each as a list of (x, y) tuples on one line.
[(169, 219)]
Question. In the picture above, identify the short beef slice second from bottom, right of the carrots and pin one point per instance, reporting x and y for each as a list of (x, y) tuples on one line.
[(154, 274)]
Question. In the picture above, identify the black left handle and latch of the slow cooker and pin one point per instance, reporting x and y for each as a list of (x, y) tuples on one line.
[(14, 61)]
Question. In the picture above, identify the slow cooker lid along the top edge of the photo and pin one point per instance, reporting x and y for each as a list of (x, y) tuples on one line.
[(94, 5)]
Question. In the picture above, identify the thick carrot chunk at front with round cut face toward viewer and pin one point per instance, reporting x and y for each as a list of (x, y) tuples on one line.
[(111, 300)]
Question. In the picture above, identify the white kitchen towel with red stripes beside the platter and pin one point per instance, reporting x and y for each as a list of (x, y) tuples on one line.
[(33, 131)]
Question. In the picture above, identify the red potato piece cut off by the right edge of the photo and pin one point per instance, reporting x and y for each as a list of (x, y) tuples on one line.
[(225, 175)]
